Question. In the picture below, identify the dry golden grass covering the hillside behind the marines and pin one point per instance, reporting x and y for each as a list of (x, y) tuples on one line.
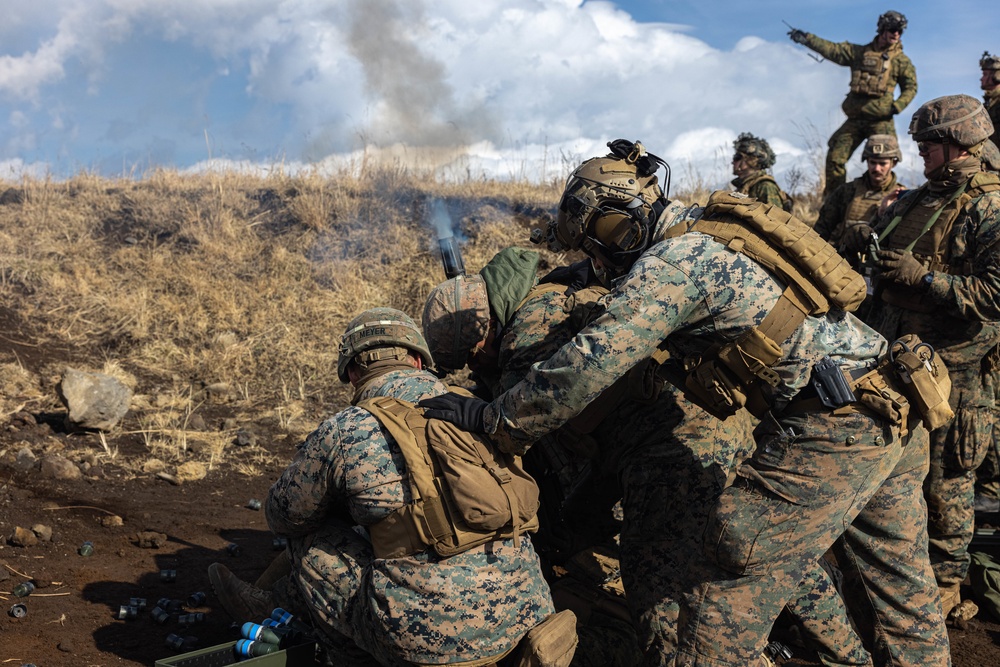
[(179, 285)]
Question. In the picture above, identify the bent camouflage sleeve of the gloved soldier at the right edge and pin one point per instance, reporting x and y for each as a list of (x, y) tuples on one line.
[(976, 242)]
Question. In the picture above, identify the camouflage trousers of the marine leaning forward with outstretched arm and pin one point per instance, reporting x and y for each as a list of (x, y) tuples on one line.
[(845, 479)]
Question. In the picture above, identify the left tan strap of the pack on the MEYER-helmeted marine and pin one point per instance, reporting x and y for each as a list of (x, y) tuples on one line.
[(413, 527)]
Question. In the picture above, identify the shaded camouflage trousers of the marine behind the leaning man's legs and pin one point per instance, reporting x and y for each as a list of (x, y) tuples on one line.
[(668, 497)]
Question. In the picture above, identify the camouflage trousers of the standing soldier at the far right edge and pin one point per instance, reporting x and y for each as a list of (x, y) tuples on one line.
[(956, 451)]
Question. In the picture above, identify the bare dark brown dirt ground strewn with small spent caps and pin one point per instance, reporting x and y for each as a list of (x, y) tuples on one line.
[(71, 615)]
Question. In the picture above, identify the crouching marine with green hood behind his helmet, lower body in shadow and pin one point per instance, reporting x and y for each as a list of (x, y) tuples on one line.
[(479, 320)]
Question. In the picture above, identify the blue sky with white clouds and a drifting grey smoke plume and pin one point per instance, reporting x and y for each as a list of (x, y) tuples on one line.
[(505, 88)]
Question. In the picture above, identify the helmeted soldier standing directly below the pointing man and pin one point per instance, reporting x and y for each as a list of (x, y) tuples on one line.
[(858, 202)]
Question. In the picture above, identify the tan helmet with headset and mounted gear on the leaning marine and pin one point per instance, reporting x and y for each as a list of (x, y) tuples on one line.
[(608, 205)]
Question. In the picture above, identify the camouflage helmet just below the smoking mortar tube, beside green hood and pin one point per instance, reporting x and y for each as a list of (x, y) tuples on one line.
[(456, 319)]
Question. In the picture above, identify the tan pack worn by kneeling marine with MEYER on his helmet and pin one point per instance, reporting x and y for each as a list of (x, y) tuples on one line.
[(465, 491)]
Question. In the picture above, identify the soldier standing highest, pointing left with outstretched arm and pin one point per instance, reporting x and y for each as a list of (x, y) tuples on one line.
[(877, 68)]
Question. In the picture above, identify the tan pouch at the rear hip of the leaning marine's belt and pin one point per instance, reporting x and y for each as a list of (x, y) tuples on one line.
[(924, 379)]
